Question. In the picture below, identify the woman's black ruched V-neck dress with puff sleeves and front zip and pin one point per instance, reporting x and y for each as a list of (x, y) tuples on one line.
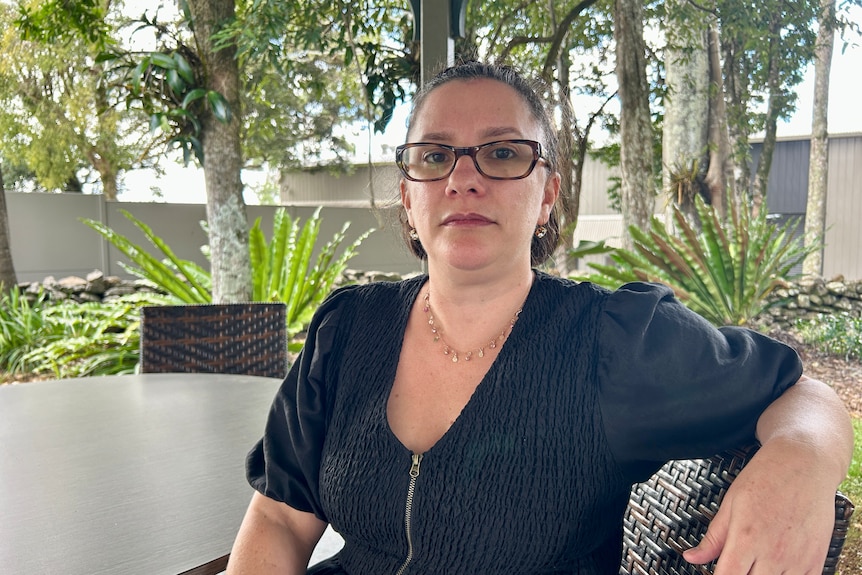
[(592, 391)]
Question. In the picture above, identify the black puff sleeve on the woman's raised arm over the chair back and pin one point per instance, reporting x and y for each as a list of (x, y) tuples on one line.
[(672, 386)]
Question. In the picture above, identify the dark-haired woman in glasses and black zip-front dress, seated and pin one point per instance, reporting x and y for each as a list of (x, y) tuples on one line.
[(489, 418)]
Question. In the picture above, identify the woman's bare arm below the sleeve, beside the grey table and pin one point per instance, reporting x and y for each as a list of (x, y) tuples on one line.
[(274, 538)]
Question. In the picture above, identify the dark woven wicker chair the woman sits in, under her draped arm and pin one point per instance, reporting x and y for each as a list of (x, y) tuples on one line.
[(671, 511)]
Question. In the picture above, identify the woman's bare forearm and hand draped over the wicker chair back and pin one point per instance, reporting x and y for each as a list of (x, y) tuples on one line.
[(778, 514)]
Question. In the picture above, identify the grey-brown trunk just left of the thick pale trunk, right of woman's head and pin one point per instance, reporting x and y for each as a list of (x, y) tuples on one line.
[(636, 153)]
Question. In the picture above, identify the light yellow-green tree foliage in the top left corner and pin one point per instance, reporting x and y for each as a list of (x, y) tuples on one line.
[(58, 119)]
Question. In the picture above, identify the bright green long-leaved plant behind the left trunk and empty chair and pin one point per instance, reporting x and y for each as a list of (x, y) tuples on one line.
[(282, 268)]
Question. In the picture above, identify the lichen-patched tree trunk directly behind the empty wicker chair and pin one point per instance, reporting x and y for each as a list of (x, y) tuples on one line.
[(226, 215)]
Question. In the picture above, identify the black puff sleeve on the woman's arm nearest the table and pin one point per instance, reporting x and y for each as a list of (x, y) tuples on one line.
[(285, 464)]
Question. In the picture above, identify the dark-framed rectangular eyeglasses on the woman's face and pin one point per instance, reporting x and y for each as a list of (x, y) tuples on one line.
[(500, 160)]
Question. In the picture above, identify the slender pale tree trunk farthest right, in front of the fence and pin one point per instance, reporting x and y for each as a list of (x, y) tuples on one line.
[(818, 163)]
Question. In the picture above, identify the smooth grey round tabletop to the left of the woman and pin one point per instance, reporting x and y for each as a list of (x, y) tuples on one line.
[(139, 474)]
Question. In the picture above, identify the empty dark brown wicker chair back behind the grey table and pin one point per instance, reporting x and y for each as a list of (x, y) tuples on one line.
[(241, 338)]
